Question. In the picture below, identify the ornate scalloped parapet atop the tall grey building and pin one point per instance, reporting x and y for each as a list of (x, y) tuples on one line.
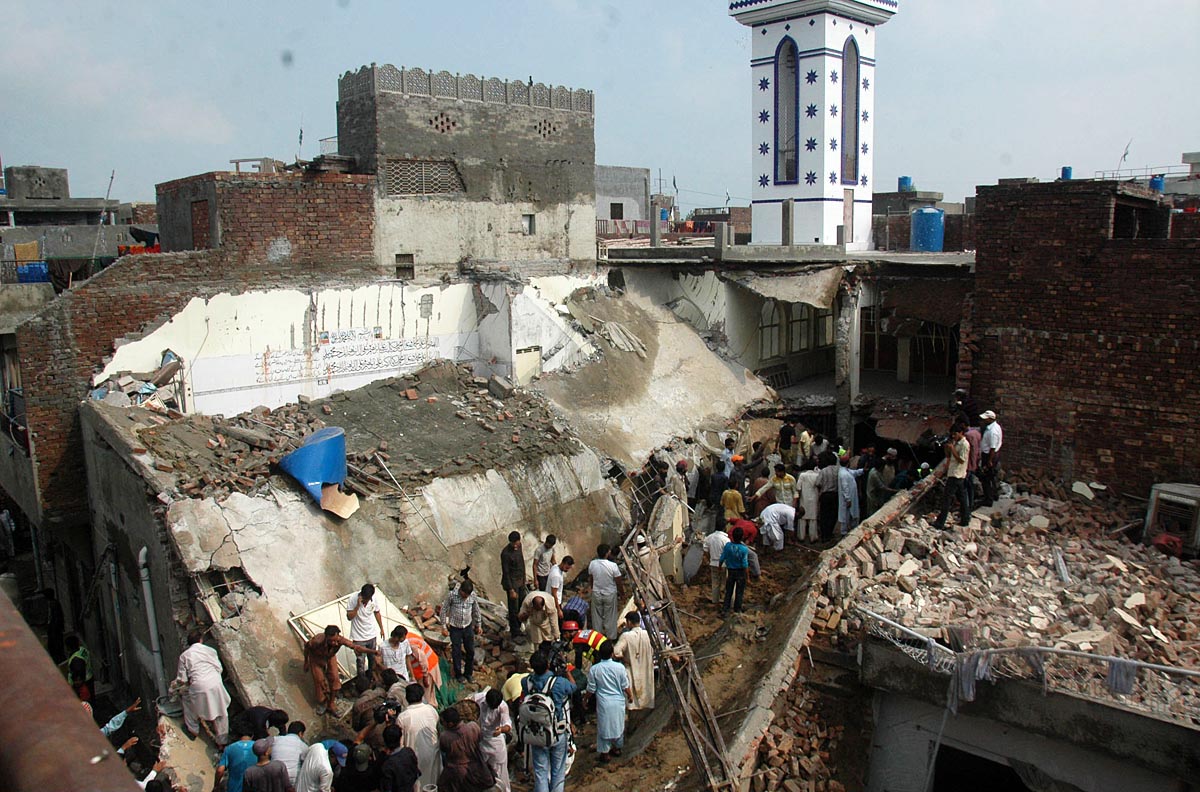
[(418, 82)]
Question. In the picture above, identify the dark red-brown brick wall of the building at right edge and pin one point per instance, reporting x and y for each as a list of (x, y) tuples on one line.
[(1087, 346)]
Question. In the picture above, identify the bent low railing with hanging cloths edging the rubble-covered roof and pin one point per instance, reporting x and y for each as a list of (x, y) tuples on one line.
[(1165, 692)]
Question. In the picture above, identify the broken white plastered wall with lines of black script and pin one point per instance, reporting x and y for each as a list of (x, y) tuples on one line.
[(242, 351)]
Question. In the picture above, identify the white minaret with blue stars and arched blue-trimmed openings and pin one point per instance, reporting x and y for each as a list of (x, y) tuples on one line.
[(813, 65)]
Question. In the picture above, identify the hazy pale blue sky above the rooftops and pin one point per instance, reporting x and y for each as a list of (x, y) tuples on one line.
[(967, 91)]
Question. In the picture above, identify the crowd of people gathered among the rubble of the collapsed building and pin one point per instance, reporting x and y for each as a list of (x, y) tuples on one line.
[(585, 658)]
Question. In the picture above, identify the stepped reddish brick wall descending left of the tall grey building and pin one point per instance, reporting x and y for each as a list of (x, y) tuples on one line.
[(295, 232)]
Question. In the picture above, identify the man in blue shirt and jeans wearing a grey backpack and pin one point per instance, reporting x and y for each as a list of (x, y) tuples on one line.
[(545, 723)]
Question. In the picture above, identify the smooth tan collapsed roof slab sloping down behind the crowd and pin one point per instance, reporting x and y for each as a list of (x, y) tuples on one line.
[(627, 406)]
